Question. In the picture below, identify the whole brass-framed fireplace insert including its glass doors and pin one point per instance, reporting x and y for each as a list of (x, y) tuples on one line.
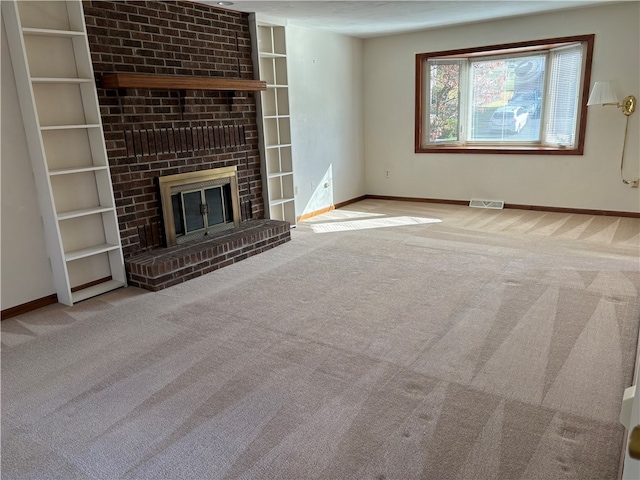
[(196, 204)]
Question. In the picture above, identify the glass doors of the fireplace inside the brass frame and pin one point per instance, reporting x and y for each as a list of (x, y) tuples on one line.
[(202, 210)]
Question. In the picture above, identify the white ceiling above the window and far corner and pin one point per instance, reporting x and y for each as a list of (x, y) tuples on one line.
[(365, 19)]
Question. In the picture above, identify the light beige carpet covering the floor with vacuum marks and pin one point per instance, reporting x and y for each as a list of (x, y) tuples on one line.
[(387, 340)]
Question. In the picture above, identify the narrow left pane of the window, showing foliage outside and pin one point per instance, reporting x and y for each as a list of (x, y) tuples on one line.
[(444, 101)]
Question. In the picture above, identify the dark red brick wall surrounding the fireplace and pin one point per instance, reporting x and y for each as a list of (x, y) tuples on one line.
[(151, 133)]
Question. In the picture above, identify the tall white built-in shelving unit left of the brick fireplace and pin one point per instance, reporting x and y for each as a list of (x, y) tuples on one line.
[(59, 103)]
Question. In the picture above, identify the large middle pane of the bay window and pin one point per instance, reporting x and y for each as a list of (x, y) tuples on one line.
[(506, 99)]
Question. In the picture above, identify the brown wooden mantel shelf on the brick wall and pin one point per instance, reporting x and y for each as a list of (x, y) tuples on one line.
[(180, 82)]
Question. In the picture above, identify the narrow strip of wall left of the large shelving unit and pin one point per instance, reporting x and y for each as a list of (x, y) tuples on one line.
[(26, 272)]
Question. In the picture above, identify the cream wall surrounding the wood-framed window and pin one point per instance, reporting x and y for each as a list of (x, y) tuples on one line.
[(590, 181)]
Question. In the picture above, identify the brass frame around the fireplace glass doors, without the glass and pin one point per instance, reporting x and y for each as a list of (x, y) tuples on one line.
[(172, 184)]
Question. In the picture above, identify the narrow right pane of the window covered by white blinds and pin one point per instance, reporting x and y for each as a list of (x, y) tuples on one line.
[(564, 88)]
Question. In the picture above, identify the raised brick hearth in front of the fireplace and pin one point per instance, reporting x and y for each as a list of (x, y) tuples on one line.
[(161, 268)]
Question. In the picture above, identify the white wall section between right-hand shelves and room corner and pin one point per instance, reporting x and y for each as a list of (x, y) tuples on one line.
[(326, 100)]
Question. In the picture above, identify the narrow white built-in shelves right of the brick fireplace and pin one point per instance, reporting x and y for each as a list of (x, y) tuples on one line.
[(273, 109)]
